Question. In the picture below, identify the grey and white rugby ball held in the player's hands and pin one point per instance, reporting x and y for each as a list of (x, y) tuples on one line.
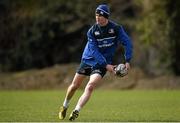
[(120, 70)]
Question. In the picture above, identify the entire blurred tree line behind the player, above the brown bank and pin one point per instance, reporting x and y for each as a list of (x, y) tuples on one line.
[(37, 34)]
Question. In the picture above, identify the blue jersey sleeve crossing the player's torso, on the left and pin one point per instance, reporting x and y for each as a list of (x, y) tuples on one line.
[(93, 46)]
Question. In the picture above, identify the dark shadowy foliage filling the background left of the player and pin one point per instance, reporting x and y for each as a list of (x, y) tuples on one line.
[(43, 33)]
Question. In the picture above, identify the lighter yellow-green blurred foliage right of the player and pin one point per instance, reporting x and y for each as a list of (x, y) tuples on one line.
[(153, 27)]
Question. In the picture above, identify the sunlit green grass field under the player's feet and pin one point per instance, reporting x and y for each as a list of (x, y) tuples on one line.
[(105, 105)]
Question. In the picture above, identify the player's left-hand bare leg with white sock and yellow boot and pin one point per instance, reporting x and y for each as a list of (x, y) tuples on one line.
[(78, 78)]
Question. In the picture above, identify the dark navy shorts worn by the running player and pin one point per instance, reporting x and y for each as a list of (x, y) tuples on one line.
[(88, 70)]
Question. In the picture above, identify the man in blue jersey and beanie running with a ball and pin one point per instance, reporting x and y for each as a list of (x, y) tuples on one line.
[(103, 39)]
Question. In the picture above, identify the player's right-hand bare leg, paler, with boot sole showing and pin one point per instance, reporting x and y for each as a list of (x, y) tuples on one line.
[(94, 80)]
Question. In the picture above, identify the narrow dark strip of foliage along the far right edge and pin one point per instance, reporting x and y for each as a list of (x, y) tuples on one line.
[(173, 11)]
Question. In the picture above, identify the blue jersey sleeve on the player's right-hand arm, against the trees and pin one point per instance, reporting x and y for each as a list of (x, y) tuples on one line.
[(124, 39)]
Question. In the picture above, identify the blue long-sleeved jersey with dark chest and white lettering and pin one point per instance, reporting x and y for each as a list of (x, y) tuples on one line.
[(102, 43)]
